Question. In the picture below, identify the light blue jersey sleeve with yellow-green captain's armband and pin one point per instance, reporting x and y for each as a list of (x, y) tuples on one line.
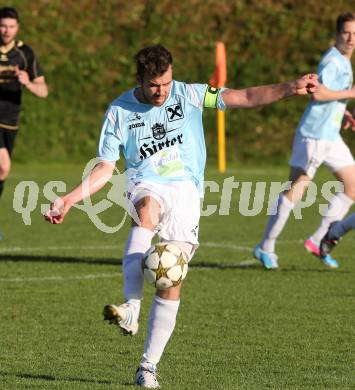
[(205, 96)]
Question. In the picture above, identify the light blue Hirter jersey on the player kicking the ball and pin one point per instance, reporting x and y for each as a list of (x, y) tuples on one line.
[(160, 144)]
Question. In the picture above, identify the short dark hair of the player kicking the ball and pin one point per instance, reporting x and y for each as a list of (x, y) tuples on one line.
[(153, 60)]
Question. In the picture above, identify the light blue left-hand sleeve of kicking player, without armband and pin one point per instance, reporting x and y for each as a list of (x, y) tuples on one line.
[(110, 138)]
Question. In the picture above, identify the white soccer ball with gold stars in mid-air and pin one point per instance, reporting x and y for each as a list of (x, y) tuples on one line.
[(164, 266)]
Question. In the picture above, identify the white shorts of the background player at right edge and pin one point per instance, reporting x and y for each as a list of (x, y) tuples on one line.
[(309, 154)]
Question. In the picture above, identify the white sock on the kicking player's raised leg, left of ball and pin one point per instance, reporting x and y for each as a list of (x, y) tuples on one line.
[(138, 242)]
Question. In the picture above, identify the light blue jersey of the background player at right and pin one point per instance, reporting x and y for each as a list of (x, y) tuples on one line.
[(322, 120)]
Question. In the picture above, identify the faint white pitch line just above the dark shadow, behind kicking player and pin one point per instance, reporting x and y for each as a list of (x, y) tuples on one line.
[(7, 249)]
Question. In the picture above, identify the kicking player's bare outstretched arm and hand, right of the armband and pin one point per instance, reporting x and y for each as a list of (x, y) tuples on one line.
[(266, 94)]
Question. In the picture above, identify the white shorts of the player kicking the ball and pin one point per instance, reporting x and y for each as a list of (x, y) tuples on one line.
[(180, 209)]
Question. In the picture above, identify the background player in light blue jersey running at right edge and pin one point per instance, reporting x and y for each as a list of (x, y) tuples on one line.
[(317, 141)]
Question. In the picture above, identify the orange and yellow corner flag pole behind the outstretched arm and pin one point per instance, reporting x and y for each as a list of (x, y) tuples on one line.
[(218, 80)]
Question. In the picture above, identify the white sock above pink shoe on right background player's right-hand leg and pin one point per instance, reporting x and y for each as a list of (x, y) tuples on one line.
[(339, 205)]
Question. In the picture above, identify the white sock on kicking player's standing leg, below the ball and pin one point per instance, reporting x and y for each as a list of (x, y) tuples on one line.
[(161, 324)]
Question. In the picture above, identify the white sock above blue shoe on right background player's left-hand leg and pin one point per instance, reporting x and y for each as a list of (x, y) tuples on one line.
[(276, 223)]
